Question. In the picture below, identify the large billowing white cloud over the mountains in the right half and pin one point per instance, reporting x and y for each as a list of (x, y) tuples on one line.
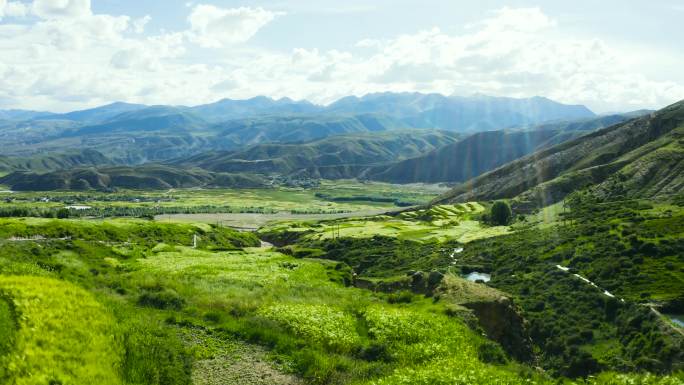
[(515, 52)]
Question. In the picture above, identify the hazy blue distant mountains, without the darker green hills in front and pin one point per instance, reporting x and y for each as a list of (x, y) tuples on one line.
[(135, 134)]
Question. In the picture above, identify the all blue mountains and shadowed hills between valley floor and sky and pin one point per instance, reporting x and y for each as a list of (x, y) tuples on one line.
[(355, 138)]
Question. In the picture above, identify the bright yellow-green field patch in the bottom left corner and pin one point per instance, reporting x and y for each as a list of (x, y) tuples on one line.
[(64, 336)]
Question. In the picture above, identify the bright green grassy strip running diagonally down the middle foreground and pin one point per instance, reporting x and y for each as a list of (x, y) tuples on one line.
[(274, 299)]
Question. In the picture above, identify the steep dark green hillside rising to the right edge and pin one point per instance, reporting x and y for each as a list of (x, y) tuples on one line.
[(640, 157)]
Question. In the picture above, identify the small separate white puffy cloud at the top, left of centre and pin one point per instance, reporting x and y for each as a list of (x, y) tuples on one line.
[(211, 26)]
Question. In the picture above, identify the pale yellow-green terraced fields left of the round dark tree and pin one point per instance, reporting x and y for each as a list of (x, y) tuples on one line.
[(441, 223)]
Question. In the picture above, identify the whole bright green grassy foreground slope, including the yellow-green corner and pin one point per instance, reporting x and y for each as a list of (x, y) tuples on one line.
[(165, 313)]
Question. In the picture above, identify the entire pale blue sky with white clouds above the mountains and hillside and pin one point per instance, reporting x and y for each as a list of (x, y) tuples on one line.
[(610, 55)]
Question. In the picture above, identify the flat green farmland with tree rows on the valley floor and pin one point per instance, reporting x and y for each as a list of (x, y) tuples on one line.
[(215, 205)]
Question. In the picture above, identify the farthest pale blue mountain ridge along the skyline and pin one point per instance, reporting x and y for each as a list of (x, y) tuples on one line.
[(403, 104)]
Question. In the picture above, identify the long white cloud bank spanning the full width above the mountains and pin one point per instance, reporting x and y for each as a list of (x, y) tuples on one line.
[(62, 63)]
